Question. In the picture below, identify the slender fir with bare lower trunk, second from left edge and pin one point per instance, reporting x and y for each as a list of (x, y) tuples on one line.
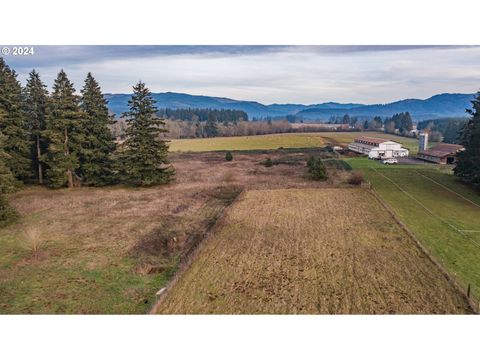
[(36, 97)]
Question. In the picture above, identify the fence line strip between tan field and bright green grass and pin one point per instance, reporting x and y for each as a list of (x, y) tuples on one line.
[(474, 305)]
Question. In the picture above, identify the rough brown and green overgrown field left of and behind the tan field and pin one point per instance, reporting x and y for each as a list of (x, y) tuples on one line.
[(109, 250)]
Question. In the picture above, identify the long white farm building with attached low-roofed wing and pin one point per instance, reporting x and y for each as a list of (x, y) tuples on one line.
[(377, 148)]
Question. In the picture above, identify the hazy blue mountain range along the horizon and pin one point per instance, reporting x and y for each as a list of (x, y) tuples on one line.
[(438, 106)]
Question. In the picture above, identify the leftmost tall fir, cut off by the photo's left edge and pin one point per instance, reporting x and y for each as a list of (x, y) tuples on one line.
[(13, 124)]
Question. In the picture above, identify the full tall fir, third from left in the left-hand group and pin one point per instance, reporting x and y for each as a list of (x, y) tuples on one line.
[(64, 133)]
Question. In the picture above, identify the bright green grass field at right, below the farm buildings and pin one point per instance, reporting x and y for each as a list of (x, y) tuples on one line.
[(442, 212)]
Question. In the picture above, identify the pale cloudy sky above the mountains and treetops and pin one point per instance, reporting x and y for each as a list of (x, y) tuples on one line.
[(268, 74)]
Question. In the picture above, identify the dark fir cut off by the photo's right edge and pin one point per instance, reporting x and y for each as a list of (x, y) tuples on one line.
[(468, 165)]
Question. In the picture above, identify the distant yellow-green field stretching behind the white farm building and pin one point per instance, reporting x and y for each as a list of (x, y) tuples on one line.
[(274, 141)]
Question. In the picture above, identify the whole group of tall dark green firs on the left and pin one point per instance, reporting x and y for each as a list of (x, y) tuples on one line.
[(62, 139)]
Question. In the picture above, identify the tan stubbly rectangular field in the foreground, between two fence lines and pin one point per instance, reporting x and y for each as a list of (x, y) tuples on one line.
[(329, 251)]
